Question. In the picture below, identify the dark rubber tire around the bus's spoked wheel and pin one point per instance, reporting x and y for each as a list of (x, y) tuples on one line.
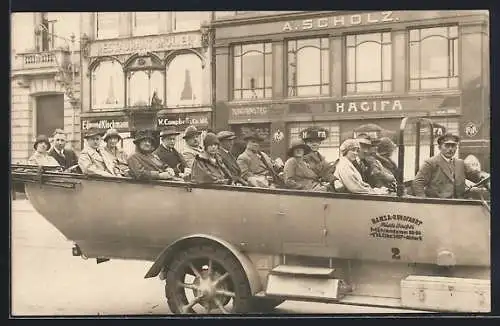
[(243, 301)]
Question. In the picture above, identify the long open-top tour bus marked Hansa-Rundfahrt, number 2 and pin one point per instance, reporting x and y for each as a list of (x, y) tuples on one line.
[(226, 249)]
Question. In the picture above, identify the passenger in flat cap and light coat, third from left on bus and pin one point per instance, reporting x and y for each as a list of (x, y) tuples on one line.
[(92, 161)]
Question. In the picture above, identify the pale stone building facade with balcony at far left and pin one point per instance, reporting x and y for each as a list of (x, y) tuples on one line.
[(45, 79)]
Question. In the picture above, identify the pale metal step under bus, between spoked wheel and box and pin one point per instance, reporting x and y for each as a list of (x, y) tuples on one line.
[(301, 282)]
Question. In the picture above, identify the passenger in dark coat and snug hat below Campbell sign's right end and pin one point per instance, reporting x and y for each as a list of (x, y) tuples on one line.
[(208, 166)]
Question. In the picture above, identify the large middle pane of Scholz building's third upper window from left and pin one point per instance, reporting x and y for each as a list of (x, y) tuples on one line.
[(368, 62)]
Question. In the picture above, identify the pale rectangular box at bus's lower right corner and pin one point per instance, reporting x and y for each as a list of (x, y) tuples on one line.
[(446, 294)]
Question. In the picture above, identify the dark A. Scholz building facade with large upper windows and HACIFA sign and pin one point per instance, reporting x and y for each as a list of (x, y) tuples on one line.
[(277, 73)]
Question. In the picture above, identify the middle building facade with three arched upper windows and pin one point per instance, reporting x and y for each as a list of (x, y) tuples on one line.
[(146, 70)]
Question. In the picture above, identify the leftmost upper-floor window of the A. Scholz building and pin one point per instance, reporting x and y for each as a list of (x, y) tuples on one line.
[(252, 66)]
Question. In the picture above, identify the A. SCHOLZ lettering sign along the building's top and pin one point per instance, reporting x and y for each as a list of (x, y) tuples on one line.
[(340, 21)]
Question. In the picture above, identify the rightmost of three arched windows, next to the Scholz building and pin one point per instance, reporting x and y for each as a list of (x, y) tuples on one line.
[(184, 81)]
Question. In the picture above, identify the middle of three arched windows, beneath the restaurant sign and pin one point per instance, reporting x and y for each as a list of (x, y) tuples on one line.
[(145, 77)]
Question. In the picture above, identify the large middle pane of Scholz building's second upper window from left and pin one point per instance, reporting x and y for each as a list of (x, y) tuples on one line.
[(308, 66)]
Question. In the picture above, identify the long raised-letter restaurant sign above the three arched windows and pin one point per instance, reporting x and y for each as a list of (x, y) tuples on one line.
[(146, 44)]
